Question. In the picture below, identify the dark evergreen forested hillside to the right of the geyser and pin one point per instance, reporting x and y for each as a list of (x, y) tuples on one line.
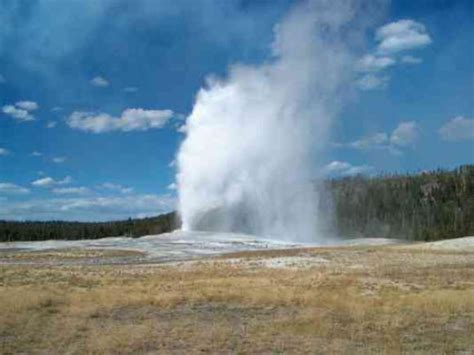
[(427, 206)]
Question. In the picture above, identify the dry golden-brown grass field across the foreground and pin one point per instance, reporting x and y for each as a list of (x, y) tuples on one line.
[(319, 300)]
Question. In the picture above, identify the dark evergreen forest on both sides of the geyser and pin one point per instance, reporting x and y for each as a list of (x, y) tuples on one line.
[(427, 206)]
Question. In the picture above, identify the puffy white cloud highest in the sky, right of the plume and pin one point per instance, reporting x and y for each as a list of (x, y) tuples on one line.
[(401, 35)]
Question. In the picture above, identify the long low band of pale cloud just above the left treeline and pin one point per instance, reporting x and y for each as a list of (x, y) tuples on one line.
[(87, 208)]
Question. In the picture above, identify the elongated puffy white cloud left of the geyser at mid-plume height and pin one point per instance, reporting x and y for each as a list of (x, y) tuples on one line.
[(131, 119)]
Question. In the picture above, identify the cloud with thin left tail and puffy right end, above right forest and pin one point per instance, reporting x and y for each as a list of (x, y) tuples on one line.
[(404, 135)]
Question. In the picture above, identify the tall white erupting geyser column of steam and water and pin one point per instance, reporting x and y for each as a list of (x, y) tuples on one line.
[(253, 139)]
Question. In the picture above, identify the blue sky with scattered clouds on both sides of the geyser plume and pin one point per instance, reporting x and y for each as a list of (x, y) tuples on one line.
[(92, 95)]
